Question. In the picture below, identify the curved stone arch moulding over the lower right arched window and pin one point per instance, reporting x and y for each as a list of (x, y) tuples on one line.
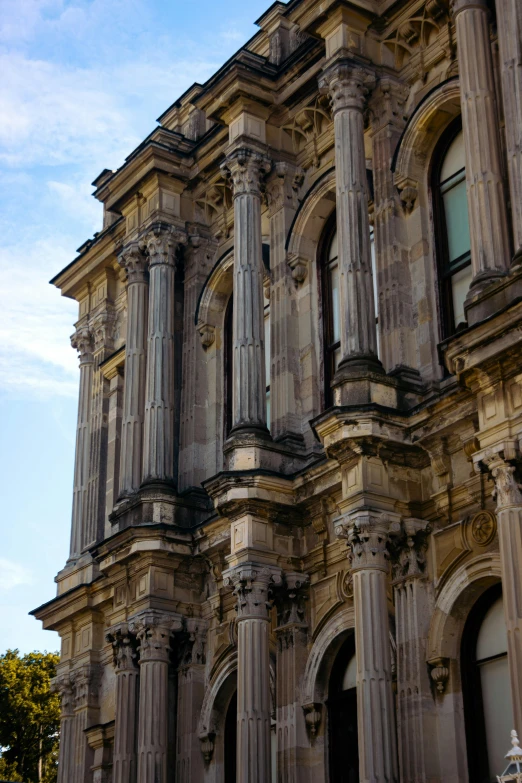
[(455, 601)]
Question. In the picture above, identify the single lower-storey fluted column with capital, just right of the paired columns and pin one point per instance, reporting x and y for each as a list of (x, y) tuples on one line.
[(252, 585)]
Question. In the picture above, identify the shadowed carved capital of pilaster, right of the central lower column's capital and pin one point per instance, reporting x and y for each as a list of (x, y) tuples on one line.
[(408, 545)]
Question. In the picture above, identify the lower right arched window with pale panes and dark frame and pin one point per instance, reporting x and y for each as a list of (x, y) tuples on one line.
[(486, 687)]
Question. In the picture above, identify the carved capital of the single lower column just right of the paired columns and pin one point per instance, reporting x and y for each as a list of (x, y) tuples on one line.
[(253, 587)]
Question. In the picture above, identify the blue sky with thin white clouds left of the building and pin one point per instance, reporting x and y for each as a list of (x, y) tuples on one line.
[(82, 83)]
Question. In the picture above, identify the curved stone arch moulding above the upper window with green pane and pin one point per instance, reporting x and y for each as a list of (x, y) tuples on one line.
[(429, 119)]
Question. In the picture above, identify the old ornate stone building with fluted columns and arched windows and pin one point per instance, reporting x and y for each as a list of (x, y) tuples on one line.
[(297, 525)]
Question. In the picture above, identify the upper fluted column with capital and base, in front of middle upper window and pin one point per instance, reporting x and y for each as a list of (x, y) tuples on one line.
[(347, 84)]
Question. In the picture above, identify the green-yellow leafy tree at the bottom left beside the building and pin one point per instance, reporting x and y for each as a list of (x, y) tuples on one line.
[(29, 717)]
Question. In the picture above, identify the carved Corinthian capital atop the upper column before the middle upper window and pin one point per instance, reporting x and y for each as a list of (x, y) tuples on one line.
[(347, 85)]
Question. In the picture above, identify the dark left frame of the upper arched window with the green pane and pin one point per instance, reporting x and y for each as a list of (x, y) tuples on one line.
[(445, 272)]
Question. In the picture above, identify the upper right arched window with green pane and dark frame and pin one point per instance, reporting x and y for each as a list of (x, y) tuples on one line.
[(452, 227)]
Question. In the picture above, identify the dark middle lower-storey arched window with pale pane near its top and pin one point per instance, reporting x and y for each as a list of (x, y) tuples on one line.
[(343, 750)]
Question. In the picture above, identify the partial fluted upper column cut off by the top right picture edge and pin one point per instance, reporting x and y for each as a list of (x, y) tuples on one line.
[(509, 25)]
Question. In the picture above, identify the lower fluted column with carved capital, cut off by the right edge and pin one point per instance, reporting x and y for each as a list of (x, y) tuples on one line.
[(509, 518)]
